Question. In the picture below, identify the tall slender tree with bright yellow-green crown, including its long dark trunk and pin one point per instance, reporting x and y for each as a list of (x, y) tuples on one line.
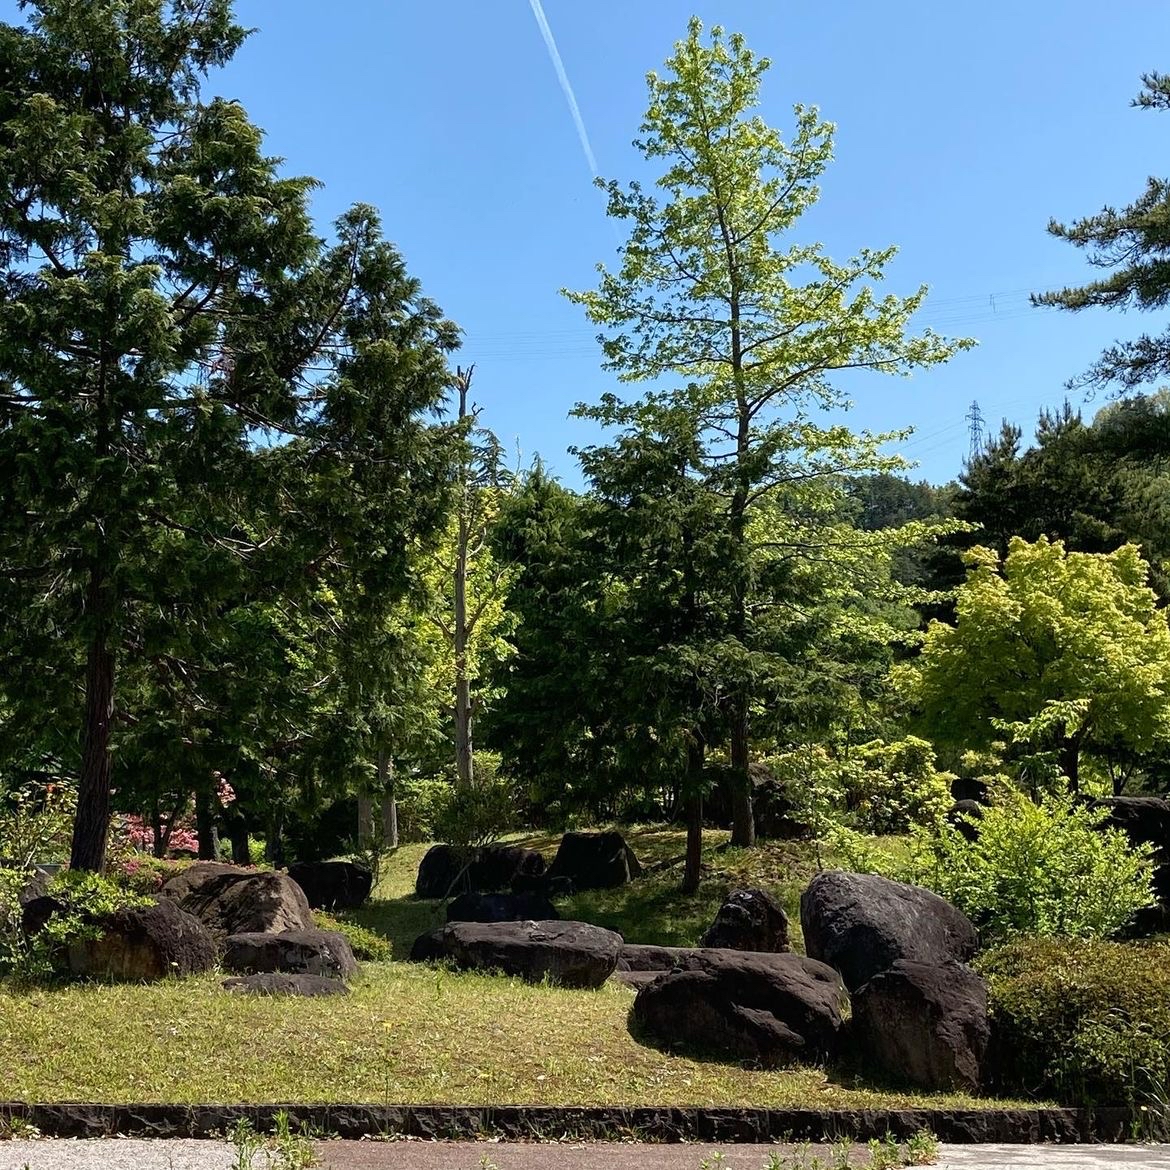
[(740, 327)]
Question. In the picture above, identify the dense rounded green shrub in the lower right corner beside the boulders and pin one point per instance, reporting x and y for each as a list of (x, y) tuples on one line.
[(1086, 1022)]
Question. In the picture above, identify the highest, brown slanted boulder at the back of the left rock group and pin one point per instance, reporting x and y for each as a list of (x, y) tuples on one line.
[(231, 900)]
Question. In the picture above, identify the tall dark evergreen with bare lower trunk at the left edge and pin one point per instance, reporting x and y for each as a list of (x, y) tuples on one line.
[(164, 302)]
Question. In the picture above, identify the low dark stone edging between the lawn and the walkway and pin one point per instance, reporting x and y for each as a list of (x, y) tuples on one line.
[(550, 1123)]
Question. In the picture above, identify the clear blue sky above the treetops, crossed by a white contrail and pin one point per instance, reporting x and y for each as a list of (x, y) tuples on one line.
[(962, 129)]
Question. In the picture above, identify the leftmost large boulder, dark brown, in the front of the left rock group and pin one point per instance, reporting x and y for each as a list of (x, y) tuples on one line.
[(142, 946)]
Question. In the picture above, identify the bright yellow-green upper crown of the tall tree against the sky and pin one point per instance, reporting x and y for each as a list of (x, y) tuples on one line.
[(706, 290)]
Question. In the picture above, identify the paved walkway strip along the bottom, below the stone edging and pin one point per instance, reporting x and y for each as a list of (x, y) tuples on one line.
[(188, 1155)]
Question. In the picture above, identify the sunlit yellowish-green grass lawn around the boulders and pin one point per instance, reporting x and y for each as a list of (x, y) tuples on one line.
[(408, 1034)]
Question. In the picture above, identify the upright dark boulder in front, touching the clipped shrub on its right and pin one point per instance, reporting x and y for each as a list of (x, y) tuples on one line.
[(924, 1026)]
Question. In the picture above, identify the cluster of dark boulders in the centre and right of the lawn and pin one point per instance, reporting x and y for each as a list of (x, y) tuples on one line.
[(885, 985)]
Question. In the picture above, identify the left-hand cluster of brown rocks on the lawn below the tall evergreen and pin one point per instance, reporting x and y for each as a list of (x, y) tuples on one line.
[(257, 925)]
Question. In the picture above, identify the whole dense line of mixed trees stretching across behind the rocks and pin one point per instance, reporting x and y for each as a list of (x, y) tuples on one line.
[(254, 540)]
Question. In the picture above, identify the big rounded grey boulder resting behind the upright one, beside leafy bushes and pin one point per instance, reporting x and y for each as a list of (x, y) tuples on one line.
[(862, 925)]
